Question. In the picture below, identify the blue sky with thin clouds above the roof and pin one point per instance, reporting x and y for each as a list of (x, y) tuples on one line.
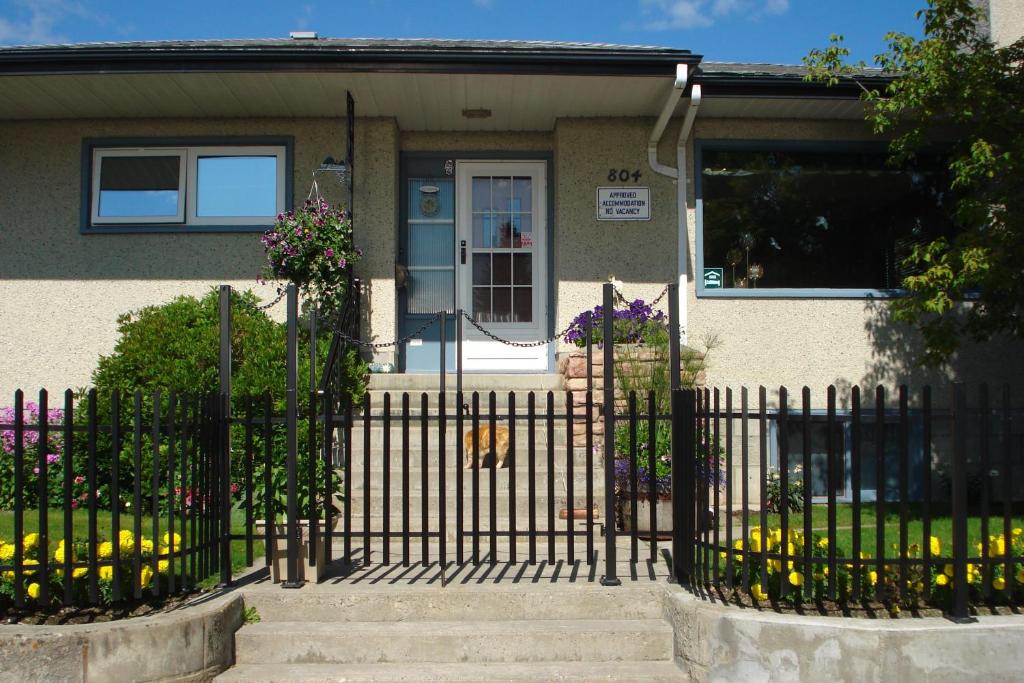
[(774, 31)]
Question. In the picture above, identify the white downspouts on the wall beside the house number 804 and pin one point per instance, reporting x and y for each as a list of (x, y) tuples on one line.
[(682, 237)]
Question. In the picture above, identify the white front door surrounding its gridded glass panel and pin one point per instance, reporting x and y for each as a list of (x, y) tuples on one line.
[(480, 353)]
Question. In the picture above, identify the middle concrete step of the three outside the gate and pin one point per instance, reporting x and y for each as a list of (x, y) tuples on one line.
[(456, 642)]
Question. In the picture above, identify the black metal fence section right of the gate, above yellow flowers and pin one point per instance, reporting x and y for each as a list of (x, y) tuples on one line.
[(879, 499)]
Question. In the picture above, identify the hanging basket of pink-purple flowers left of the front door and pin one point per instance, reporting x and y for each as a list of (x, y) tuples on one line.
[(312, 248)]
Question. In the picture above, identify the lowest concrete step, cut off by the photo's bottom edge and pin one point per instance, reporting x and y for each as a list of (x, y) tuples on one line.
[(564, 672)]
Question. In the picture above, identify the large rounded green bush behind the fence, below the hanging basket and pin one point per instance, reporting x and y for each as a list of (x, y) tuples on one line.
[(177, 347)]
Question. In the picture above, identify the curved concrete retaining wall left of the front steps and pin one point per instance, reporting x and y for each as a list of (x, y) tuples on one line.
[(193, 645)]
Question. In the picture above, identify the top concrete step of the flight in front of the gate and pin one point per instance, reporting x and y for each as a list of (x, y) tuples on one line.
[(457, 604)]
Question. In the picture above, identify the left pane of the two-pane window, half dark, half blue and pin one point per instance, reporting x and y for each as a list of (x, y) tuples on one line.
[(140, 187)]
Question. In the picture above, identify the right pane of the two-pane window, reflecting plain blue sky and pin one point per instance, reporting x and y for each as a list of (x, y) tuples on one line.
[(237, 187)]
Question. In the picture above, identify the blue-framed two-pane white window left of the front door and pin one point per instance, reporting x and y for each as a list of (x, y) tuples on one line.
[(232, 187)]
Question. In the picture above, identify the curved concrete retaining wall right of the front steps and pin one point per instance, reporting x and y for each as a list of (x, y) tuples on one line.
[(715, 644)]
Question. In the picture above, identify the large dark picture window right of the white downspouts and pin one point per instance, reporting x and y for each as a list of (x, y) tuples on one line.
[(781, 220)]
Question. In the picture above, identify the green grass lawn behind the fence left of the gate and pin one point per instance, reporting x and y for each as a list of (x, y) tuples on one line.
[(80, 530)]
